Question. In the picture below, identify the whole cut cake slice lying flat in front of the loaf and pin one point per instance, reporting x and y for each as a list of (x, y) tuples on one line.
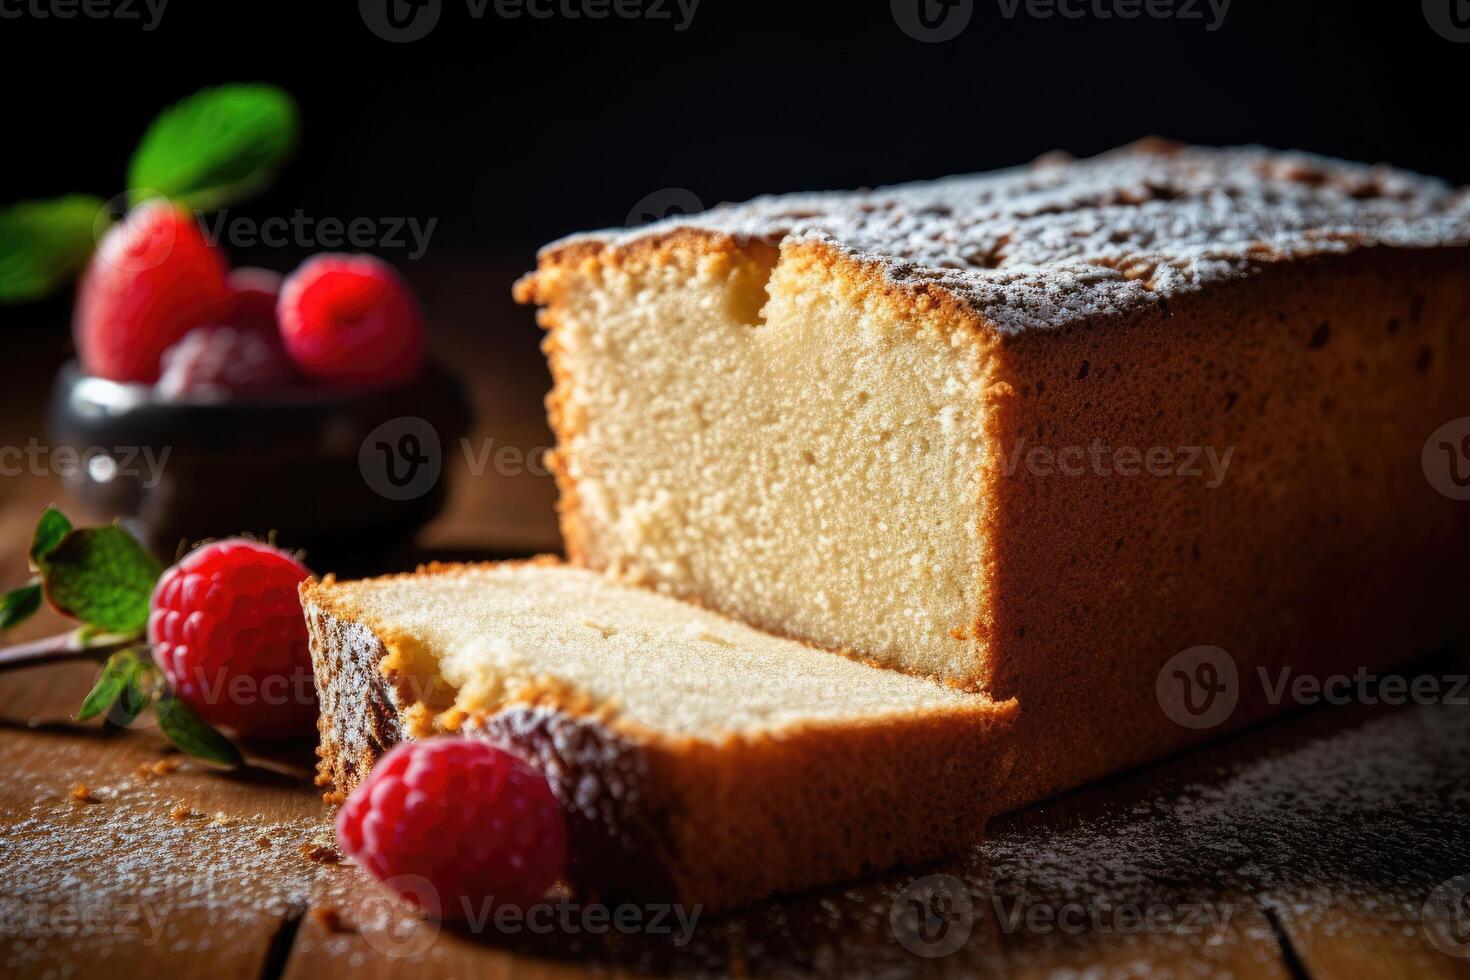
[(699, 760)]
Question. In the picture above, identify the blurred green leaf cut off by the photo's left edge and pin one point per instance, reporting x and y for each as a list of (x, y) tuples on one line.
[(45, 245)]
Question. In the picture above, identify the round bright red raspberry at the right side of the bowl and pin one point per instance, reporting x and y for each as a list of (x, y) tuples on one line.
[(351, 320)]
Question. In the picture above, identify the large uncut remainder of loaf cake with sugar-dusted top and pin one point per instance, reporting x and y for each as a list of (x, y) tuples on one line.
[(1036, 433)]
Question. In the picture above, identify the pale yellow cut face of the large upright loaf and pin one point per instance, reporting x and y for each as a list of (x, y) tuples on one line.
[(792, 462)]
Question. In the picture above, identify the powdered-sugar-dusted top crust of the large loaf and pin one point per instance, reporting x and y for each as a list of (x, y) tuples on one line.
[(1062, 240)]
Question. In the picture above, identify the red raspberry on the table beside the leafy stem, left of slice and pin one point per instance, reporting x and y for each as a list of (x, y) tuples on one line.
[(227, 630)]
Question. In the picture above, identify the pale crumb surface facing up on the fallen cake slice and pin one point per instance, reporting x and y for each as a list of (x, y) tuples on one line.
[(464, 643)]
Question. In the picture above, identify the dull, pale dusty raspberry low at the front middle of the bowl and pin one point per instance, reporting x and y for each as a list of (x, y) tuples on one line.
[(217, 362)]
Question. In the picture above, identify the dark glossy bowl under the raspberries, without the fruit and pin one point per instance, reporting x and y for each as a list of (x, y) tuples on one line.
[(342, 474)]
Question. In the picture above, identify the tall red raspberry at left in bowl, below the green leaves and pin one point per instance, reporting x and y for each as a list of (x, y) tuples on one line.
[(152, 281)]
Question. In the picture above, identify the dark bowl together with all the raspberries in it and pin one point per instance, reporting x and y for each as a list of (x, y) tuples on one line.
[(195, 412)]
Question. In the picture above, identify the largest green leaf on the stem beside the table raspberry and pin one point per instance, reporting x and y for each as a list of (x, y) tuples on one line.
[(104, 578)]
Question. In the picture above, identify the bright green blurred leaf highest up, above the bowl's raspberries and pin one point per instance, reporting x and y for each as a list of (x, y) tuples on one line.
[(215, 148)]
